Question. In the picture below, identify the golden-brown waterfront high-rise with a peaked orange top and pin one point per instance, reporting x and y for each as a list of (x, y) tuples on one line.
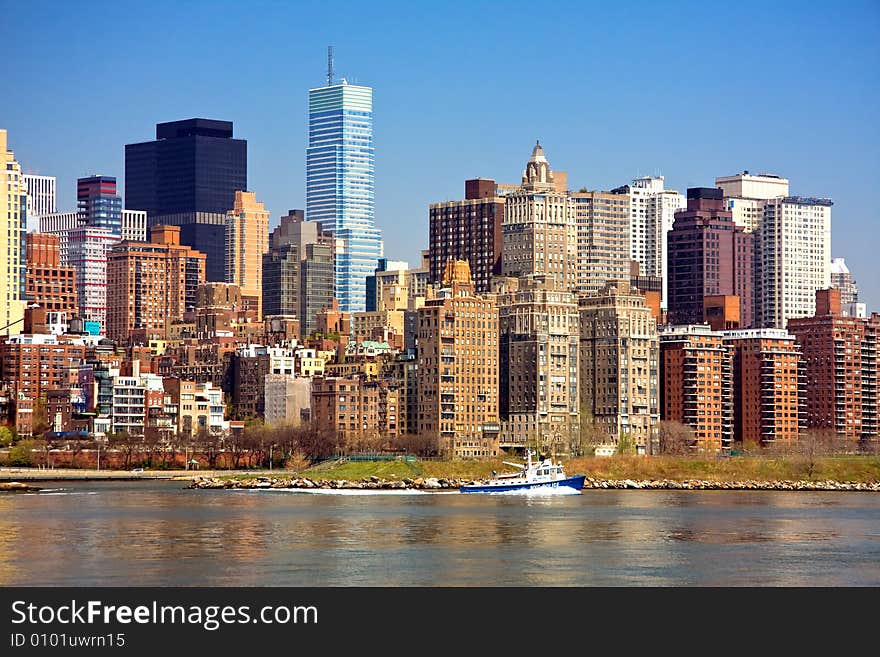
[(458, 367)]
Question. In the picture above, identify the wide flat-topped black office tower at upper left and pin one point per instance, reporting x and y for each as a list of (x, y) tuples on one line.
[(188, 177)]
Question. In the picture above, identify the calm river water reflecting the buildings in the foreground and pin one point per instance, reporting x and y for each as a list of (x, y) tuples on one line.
[(157, 533)]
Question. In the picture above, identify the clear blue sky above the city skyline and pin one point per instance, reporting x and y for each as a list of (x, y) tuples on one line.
[(462, 89)]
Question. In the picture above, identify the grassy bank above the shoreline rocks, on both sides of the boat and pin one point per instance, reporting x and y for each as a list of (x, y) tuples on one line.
[(760, 468)]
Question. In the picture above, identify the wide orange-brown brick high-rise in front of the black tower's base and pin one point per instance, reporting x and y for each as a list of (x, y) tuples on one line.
[(150, 285)]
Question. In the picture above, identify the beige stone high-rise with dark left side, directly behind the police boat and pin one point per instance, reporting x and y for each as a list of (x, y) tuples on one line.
[(539, 399)]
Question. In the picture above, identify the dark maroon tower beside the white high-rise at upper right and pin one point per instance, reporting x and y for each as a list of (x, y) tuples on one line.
[(708, 256)]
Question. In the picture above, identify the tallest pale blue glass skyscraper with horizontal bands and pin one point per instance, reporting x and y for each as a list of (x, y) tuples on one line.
[(340, 184)]
